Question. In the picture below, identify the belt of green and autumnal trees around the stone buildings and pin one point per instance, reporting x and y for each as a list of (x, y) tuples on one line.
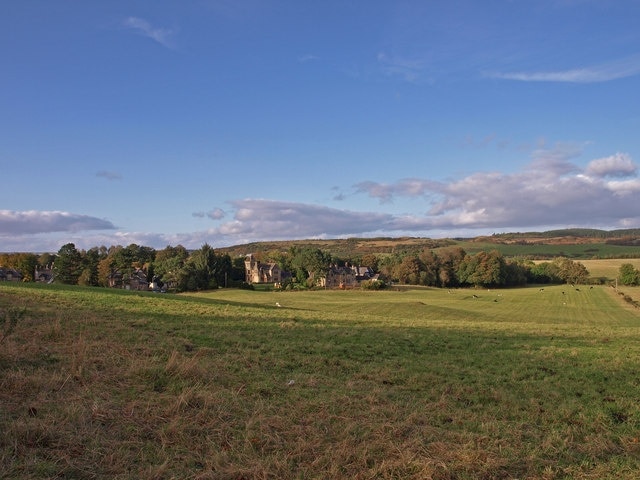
[(177, 269)]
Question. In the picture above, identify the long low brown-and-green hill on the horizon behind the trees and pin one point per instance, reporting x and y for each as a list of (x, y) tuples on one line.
[(573, 242)]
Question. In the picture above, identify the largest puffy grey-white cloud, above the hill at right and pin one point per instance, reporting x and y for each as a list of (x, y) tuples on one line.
[(549, 191)]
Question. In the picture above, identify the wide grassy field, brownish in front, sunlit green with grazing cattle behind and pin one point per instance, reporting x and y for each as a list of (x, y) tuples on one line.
[(406, 384)]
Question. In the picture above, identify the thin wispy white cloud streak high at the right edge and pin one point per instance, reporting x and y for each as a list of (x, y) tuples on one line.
[(622, 68)]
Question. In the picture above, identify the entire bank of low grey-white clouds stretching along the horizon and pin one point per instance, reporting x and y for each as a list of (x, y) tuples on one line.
[(550, 192)]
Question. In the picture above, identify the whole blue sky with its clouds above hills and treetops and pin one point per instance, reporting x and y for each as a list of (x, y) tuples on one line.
[(164, 123)]
